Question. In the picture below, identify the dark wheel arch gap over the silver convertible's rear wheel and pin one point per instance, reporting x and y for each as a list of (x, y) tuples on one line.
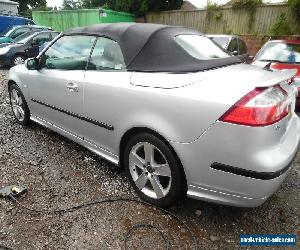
[(138, 130)]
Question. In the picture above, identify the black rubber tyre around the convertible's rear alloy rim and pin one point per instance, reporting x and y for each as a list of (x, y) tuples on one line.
[(178, 186)]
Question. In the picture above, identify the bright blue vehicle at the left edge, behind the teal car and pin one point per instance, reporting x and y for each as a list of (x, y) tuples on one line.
[(7, 22)]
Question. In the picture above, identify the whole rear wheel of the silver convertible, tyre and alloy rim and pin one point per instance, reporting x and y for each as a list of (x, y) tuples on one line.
[(154, 171)]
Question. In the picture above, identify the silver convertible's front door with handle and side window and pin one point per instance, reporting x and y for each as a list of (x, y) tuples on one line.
[(56, 89)]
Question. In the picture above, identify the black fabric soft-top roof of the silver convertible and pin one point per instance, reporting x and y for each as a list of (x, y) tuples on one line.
[(151, 47)]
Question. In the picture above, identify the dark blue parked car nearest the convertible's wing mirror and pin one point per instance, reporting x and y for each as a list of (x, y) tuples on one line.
[(16, 53)]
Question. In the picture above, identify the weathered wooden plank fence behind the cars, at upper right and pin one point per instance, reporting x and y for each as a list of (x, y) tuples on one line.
[(229, 20)]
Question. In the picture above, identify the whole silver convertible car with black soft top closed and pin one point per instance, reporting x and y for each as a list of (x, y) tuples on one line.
[(168, 105)]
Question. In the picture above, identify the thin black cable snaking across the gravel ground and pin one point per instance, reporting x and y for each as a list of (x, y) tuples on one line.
[(118, 199)]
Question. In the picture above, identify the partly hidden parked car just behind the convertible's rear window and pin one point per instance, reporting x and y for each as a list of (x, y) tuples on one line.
[(233, 44)]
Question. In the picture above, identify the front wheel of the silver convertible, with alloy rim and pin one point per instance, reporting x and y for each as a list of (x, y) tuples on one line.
[(19, 105)]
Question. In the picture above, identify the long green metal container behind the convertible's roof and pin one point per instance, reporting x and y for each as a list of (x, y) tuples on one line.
[(66, 19)]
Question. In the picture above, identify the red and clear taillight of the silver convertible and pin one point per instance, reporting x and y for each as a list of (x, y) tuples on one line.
[(260, 107)]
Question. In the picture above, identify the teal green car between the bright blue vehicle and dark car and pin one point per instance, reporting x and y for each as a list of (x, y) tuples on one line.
[(19, 30)]
